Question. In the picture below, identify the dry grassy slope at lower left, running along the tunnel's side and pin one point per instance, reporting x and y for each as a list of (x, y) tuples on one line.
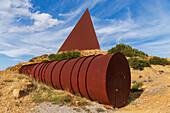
[(33, 95)]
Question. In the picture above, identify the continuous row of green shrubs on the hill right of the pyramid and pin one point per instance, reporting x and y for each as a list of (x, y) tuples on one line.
[(138, 59)]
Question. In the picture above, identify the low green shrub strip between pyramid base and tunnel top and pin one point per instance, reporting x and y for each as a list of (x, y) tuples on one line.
[(65, 55)]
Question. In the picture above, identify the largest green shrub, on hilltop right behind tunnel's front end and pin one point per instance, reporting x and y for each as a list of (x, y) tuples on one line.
[(127, 51)]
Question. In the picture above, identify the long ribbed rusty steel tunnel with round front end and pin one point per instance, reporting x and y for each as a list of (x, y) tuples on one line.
[(102, 78)]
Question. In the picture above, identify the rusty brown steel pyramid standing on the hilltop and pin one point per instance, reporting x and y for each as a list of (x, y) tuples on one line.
[(82, 37)]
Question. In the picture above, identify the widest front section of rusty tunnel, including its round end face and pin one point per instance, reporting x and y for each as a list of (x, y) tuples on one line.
[(102, 72)]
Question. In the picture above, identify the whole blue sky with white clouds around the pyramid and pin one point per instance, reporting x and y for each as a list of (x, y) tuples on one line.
[(29, 28)]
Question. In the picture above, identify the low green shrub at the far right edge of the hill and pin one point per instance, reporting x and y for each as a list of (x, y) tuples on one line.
[(159, 61)]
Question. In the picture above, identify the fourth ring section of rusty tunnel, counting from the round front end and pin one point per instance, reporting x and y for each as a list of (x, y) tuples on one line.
[(65, 76)]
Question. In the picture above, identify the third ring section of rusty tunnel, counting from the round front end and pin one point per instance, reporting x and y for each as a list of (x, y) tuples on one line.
[(75, 74)]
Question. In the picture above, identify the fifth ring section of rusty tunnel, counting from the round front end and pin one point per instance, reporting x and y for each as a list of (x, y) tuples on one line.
[(56, 74)]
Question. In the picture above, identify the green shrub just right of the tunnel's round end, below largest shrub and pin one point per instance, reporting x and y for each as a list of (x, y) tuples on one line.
[(138, 64)]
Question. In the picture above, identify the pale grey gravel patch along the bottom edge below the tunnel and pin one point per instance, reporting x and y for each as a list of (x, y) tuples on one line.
[(47, 107)]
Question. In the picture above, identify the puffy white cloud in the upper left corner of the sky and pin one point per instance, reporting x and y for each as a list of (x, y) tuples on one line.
[(10, 9)]
